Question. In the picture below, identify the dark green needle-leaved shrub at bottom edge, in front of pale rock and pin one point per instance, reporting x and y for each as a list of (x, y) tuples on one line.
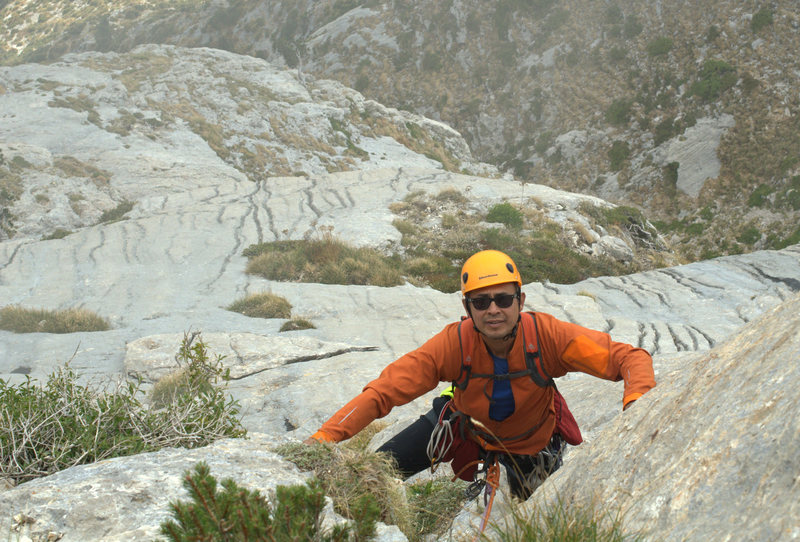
[(234, 513)]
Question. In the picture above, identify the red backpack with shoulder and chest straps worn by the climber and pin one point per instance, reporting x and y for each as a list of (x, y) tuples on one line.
[(459, 439)]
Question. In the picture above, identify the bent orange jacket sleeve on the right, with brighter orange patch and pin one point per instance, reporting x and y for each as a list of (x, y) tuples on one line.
[(569, 347)]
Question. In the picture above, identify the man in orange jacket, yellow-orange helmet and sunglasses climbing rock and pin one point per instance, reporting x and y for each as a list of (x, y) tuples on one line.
[(501, 362)]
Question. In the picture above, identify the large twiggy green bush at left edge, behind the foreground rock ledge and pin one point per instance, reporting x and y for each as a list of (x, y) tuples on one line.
[(48, 428)]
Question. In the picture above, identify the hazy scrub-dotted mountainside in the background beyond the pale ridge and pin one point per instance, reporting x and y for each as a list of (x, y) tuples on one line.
[(612, 98)]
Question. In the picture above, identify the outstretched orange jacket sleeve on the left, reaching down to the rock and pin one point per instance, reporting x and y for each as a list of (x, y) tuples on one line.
[(402, 381)]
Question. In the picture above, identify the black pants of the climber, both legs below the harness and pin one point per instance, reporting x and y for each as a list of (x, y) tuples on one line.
[(525, 472)]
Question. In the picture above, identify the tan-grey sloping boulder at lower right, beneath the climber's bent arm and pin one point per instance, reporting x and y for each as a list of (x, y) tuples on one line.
[(711, 453)]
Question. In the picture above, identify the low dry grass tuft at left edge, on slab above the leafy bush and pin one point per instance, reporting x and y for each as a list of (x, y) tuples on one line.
[(23, 320)]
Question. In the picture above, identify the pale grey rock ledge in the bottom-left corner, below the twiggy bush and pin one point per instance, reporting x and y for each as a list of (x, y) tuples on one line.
[(128, 498)]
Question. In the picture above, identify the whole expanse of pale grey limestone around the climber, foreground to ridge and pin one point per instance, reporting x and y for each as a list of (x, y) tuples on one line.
[(139, 178)]
